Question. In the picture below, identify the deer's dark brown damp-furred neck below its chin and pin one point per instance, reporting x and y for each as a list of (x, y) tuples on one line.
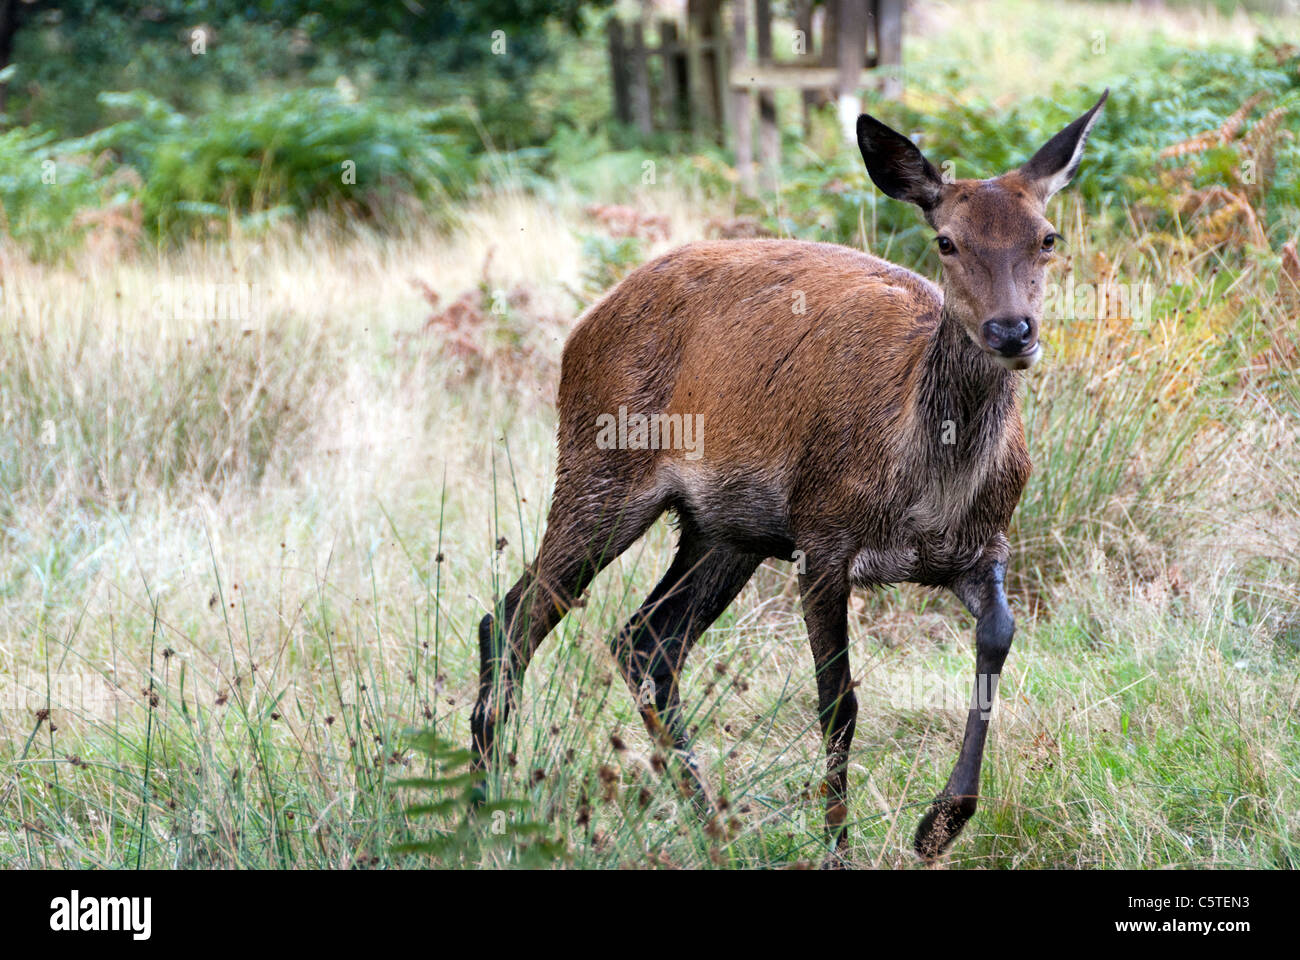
[(964, 400)]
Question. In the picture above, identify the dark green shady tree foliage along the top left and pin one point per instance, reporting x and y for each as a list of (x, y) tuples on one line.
[(67, 51)]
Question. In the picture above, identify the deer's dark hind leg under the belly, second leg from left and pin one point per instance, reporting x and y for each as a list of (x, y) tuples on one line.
[(652, 648)]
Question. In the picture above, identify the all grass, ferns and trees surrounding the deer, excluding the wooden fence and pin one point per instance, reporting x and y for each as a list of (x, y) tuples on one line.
[(242, 553)]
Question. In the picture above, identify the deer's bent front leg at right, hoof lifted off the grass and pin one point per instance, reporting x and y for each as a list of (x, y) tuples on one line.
[(983, 594)]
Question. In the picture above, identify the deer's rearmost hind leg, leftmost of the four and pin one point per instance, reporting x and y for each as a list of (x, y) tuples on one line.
[(577, 547)]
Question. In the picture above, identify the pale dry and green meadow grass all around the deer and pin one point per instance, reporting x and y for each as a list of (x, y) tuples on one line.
[(244, 560)]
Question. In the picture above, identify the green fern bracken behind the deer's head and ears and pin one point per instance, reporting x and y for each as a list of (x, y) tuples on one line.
[(1165, 102)]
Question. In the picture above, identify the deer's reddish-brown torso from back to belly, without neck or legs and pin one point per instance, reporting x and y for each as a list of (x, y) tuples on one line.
[(794, 358)]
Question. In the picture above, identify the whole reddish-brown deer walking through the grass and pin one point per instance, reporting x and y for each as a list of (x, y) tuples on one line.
[(848, 414)]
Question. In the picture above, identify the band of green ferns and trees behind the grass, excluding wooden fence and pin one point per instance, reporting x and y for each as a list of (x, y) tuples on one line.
[(185, 118)]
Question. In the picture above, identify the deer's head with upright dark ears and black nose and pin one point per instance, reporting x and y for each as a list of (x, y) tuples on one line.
[(994, 237)]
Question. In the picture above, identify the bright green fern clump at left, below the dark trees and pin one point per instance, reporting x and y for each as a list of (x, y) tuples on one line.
[(302, 152)]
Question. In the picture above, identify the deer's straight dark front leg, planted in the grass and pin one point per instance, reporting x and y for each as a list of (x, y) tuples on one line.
[(826, 612)]
